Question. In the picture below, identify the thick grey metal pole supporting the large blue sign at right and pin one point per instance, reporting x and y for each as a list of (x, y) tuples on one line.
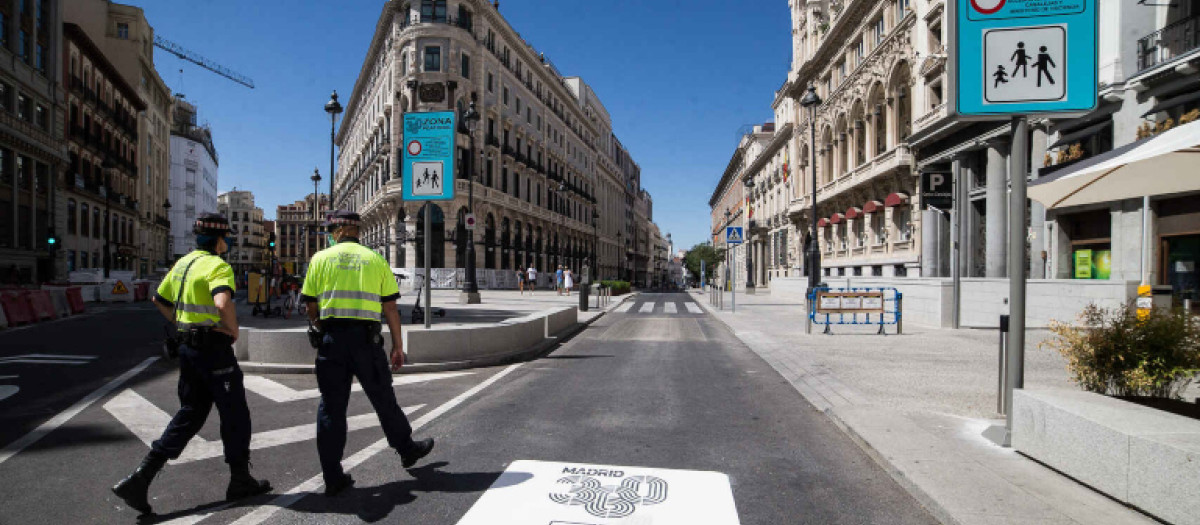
[(1018, 167)]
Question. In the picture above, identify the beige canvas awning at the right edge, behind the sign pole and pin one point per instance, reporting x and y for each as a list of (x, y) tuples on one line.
[(1163, 165)]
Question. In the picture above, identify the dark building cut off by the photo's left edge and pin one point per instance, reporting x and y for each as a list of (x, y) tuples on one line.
[(32, 154)]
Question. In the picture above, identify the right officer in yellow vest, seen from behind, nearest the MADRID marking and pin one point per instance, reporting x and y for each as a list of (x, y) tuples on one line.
[(352, 288)]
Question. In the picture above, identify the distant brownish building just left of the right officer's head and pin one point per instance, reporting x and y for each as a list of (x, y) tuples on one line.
[(297, 232)]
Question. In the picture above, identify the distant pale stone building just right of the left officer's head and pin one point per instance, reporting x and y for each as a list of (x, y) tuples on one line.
[(248, 242)]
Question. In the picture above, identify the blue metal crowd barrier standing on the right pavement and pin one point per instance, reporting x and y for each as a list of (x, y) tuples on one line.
[(850, 310)]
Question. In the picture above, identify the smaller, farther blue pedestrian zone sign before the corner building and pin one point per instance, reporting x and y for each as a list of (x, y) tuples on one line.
[(428, 156)]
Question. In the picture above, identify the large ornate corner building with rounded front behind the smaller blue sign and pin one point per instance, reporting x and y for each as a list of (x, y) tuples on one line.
[(551, 184)]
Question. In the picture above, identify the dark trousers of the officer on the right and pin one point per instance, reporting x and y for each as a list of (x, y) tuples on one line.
[(355, 352)]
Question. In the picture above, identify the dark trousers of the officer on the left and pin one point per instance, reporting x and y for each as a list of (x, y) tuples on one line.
[(209, 376)]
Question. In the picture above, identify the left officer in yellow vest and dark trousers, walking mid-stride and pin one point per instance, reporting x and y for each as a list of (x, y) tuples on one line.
[(197, 297)]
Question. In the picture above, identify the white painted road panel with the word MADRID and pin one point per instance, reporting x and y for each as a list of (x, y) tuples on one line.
[(571, 493)]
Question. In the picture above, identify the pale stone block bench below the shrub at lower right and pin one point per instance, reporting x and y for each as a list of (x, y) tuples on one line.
[(1144, 457)]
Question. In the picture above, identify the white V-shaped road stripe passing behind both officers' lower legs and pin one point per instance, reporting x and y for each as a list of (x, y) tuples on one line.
[(147, 423)]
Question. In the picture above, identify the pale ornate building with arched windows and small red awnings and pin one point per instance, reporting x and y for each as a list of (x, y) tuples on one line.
[(860, 57)]
